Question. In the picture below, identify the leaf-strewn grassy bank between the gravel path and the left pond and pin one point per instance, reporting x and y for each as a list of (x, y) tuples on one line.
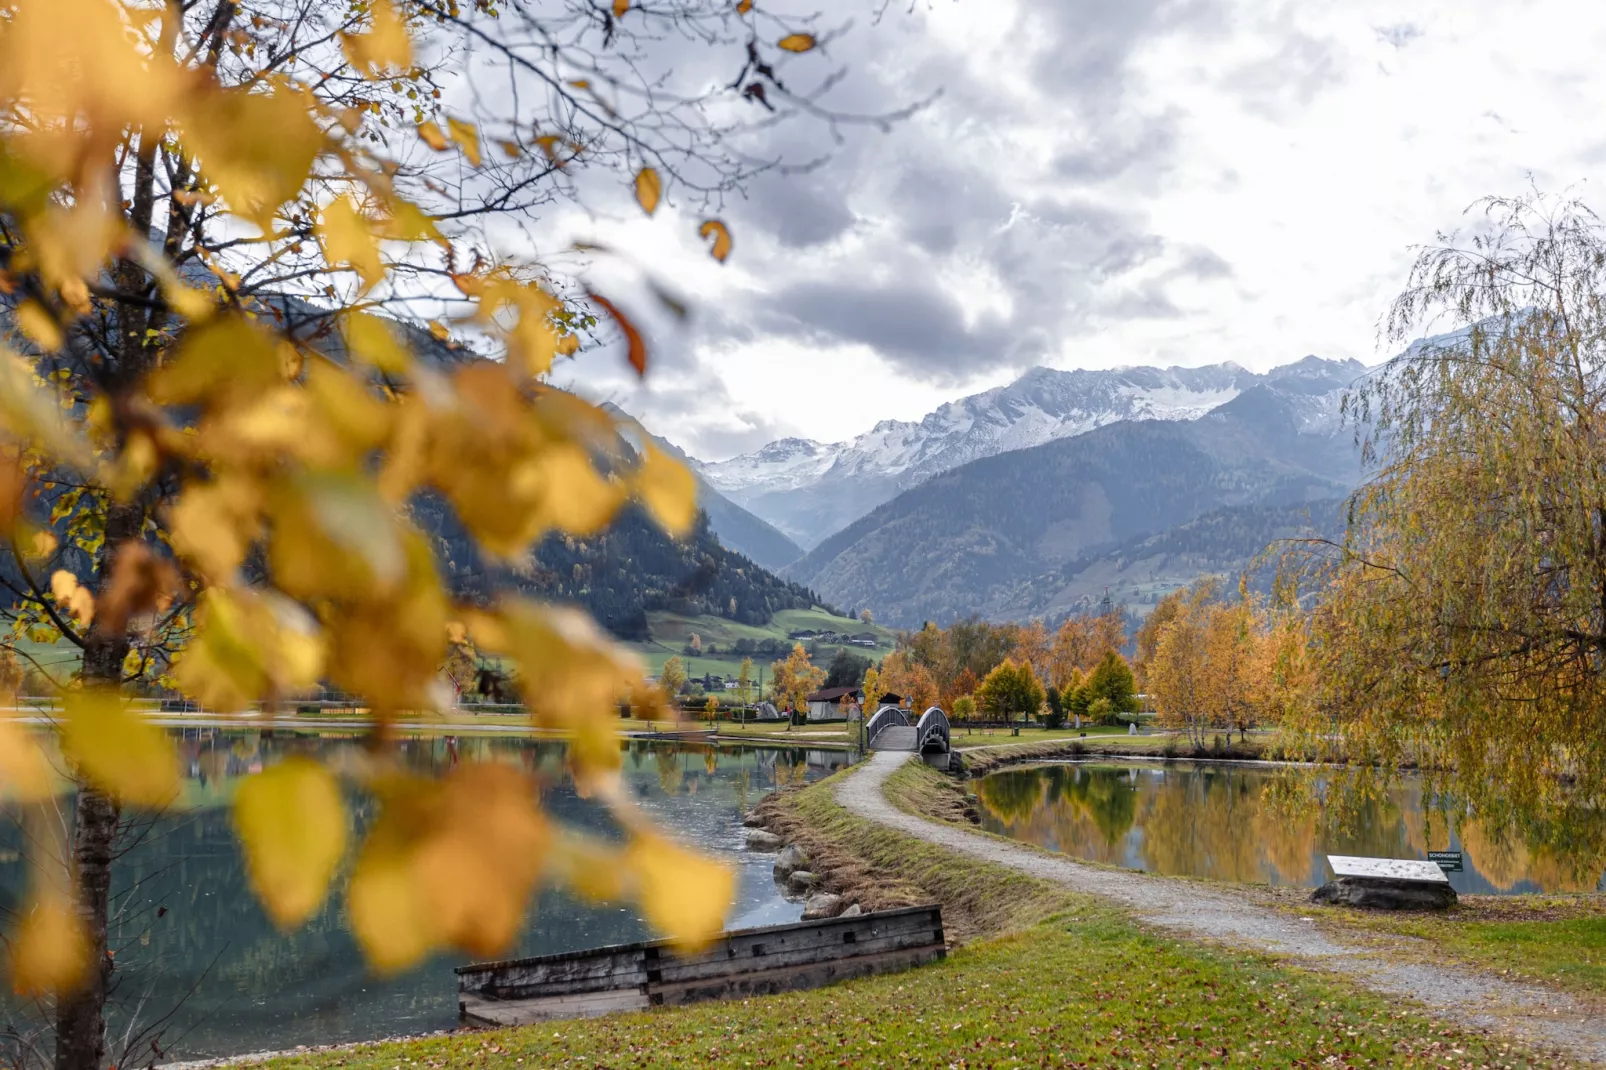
[(1053, 979)]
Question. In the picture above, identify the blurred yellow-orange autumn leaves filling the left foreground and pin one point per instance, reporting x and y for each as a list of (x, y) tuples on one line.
[(287, 467)]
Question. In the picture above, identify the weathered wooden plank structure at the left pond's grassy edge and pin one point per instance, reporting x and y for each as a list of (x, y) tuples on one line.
[(738, 965)]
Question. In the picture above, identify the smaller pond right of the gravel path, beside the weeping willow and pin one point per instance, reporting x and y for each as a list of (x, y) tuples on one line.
[(1223, 822)]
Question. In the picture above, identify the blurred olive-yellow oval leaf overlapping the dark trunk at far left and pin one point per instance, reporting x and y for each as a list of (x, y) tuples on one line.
[(118, 751)]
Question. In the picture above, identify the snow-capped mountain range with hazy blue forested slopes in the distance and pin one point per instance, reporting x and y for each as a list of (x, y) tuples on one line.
[(1045, 496)]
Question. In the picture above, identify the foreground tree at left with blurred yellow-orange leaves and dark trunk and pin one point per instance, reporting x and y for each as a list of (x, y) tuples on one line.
[(213, 435)]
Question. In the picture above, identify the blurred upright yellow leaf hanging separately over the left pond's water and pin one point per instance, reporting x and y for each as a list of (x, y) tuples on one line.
[(291, 823)]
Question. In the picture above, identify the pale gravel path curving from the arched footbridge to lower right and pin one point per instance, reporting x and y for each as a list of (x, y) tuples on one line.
[(1541, 1016)]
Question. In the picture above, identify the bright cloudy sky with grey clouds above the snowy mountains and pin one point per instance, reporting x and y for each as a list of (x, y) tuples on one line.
[(1170, 182)]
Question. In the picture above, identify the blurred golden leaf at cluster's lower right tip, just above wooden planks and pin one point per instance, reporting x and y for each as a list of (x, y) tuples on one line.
[(682, 894)]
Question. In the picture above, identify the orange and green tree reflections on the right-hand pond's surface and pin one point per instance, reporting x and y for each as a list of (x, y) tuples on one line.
[(1257, 825)]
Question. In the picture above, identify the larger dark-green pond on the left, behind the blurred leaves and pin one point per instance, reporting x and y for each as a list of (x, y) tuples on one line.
[(194, 944)]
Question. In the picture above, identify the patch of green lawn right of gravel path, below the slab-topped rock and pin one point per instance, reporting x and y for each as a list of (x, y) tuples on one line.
[(1559, 941)]
